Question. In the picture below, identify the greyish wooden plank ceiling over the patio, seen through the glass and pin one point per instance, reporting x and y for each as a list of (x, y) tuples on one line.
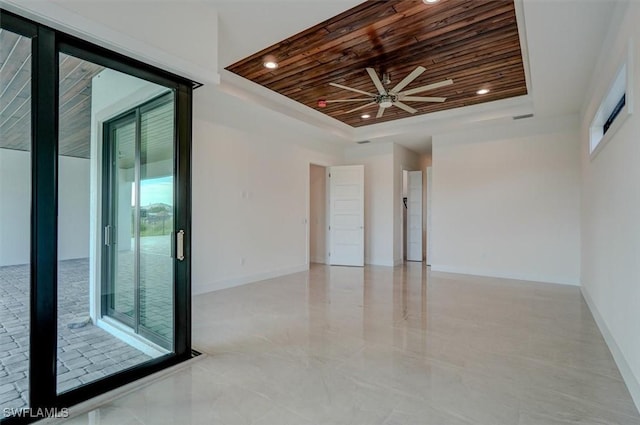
[(15, 98)]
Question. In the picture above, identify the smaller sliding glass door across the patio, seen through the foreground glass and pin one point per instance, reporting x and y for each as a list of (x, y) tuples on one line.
[(138, 223)]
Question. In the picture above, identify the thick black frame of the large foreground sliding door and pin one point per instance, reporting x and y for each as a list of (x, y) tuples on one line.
[(47, 43)]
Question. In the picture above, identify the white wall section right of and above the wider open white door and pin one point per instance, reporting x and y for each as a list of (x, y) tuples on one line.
[(379, 184)]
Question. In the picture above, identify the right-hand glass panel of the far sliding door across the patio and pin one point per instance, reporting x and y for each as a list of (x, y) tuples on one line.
[(156, 220)]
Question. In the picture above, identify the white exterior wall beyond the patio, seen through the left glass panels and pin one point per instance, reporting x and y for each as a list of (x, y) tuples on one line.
[(15, 207)]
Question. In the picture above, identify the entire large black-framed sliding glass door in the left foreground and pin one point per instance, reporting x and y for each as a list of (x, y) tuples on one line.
[(95, 197)]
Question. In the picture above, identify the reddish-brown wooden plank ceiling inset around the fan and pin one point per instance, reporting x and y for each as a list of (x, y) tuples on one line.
[(473, 42)]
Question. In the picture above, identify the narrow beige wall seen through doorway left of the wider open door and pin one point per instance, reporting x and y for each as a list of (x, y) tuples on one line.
[(318, 214)]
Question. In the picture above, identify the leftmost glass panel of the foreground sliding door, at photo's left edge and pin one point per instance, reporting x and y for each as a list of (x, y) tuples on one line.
[(15, 213)]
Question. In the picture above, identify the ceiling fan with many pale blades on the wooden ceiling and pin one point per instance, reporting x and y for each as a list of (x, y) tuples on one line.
[(391, 97)]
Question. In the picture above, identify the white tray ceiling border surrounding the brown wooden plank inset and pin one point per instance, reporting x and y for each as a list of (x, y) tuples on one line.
[(564, 38)]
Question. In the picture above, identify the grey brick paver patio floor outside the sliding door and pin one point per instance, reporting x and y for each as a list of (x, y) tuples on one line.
[(85, 354)]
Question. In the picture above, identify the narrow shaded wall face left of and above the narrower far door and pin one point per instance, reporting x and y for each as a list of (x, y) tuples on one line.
[(403, 159)]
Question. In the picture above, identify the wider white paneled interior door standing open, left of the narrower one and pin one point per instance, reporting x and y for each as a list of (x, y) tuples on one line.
[(346, 215)]
